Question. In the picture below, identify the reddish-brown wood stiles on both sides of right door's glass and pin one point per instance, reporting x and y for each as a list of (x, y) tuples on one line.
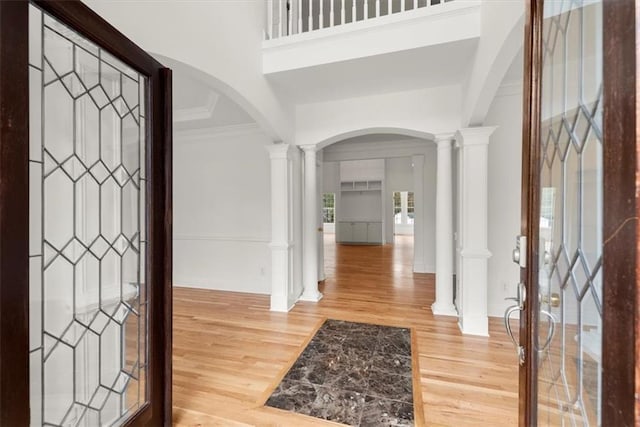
[(621, 337)]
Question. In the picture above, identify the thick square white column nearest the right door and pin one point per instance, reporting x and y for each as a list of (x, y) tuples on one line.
[(473, 257)]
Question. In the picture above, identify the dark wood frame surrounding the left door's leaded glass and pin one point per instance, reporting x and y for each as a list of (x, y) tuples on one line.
[(14, 205)]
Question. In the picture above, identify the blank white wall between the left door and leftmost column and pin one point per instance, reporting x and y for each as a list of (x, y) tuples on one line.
[(222, 206)]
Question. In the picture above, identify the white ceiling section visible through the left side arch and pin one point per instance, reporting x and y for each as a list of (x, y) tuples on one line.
[(198, 106)]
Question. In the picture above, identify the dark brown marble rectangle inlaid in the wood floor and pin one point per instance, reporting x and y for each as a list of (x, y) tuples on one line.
[(352, 373)]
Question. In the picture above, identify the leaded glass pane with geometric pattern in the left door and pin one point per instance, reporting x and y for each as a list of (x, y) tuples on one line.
[(88, 350)]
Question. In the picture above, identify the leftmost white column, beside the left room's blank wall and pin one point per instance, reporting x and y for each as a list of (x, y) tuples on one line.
[(281, 277)]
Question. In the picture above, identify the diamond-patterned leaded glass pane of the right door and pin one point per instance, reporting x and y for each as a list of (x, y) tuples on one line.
[(569, 374)]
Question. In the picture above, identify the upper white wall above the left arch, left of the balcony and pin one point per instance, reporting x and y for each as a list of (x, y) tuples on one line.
[(220, 39)]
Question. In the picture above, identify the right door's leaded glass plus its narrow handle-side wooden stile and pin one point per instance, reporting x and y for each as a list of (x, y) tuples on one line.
[(561, 349)]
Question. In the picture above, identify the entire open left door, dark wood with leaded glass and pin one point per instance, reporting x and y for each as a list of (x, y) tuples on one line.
[(95, 149)]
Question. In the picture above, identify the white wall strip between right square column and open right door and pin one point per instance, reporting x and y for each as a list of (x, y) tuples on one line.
[(505, 150)]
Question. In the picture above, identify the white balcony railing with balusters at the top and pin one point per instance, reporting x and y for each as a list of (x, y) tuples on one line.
[(290, 17)]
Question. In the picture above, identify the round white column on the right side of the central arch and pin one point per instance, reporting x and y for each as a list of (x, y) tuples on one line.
[(443, 304)]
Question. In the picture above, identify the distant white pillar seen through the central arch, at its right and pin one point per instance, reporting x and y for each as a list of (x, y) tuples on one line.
[(419, 261)]
